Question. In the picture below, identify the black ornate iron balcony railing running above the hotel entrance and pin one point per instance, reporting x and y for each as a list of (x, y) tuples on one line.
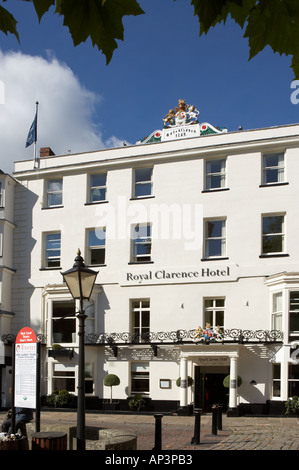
[(233, 335)]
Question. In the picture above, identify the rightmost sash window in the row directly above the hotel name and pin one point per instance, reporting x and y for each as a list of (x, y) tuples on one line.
[(273, 238)]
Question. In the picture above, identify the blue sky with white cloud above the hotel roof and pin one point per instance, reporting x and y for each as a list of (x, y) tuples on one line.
[(86, 105)]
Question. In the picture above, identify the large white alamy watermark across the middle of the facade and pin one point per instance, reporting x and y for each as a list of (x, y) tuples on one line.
[(167, 221)]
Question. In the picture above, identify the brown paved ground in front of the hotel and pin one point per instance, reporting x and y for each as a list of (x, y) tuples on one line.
[(240, 433)]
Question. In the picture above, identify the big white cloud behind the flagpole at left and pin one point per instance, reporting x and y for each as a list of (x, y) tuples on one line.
[(65, 111)]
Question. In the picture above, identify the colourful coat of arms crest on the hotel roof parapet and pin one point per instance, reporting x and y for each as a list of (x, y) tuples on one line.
[(181, 123)]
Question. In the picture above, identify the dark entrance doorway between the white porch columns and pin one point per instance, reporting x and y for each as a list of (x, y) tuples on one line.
[(209, 388)]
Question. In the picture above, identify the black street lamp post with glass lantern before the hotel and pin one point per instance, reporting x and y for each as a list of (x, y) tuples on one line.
[(80, 281)]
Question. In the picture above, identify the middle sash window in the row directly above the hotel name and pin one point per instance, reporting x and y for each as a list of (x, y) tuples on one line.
[(142, 243)]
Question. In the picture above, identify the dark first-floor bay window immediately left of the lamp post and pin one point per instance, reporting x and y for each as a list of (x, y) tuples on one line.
[(63, 321)]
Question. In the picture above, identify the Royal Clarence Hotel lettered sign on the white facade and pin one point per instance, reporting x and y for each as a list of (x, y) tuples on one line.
[(179, 275)]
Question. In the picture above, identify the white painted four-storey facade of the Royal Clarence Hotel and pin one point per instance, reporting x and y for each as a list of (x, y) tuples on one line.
[(207, 257)]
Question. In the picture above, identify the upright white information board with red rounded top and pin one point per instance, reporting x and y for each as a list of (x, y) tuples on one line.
[(25, 369)]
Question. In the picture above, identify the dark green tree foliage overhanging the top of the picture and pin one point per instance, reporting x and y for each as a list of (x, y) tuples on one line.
[(273, 23)]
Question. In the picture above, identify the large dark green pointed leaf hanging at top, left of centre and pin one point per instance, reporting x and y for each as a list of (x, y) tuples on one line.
[(101, 20)]
